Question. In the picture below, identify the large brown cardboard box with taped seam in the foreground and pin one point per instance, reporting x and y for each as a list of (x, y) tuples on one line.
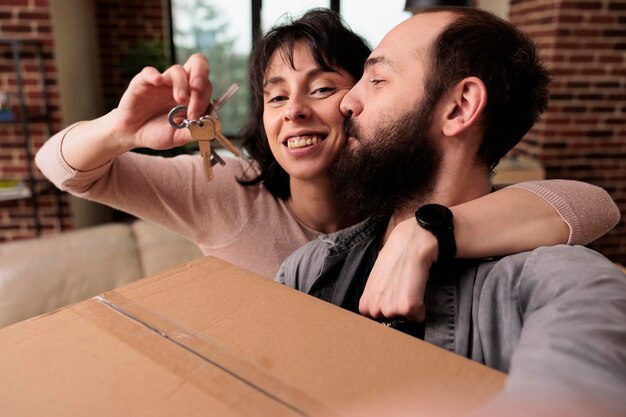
[(210, 339)]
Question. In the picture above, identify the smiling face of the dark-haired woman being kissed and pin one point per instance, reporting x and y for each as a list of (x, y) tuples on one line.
[(301, 115)]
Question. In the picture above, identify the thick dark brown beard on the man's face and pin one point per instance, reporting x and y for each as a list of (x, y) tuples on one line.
[(392, 168)]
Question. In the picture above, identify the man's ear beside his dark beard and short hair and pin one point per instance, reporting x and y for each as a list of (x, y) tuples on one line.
[(464, 105)]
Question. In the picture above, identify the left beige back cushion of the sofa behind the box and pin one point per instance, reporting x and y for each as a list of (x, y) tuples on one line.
[(43, 274)]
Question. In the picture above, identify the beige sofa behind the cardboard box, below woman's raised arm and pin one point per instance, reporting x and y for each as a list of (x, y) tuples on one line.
[(42, 274)]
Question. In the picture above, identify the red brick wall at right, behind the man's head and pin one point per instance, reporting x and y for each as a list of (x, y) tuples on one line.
[(582, 136)]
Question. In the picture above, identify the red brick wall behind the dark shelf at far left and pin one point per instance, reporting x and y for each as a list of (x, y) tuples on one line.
[(28, 19)]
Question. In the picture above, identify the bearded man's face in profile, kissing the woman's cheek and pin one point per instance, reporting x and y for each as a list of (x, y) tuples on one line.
[(391, 156)]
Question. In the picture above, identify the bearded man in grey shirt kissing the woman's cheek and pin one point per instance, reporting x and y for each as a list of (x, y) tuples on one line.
[(444, 96)]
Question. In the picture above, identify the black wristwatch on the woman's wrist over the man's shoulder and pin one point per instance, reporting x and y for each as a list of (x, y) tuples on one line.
[(437, 219)]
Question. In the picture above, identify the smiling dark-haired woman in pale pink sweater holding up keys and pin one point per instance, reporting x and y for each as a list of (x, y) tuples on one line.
[(255, 213)]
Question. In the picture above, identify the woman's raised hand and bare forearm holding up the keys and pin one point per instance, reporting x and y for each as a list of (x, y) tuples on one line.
[(140, 120)]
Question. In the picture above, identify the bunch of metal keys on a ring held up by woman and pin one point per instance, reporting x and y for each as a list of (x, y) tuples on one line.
[(205, 129)]
